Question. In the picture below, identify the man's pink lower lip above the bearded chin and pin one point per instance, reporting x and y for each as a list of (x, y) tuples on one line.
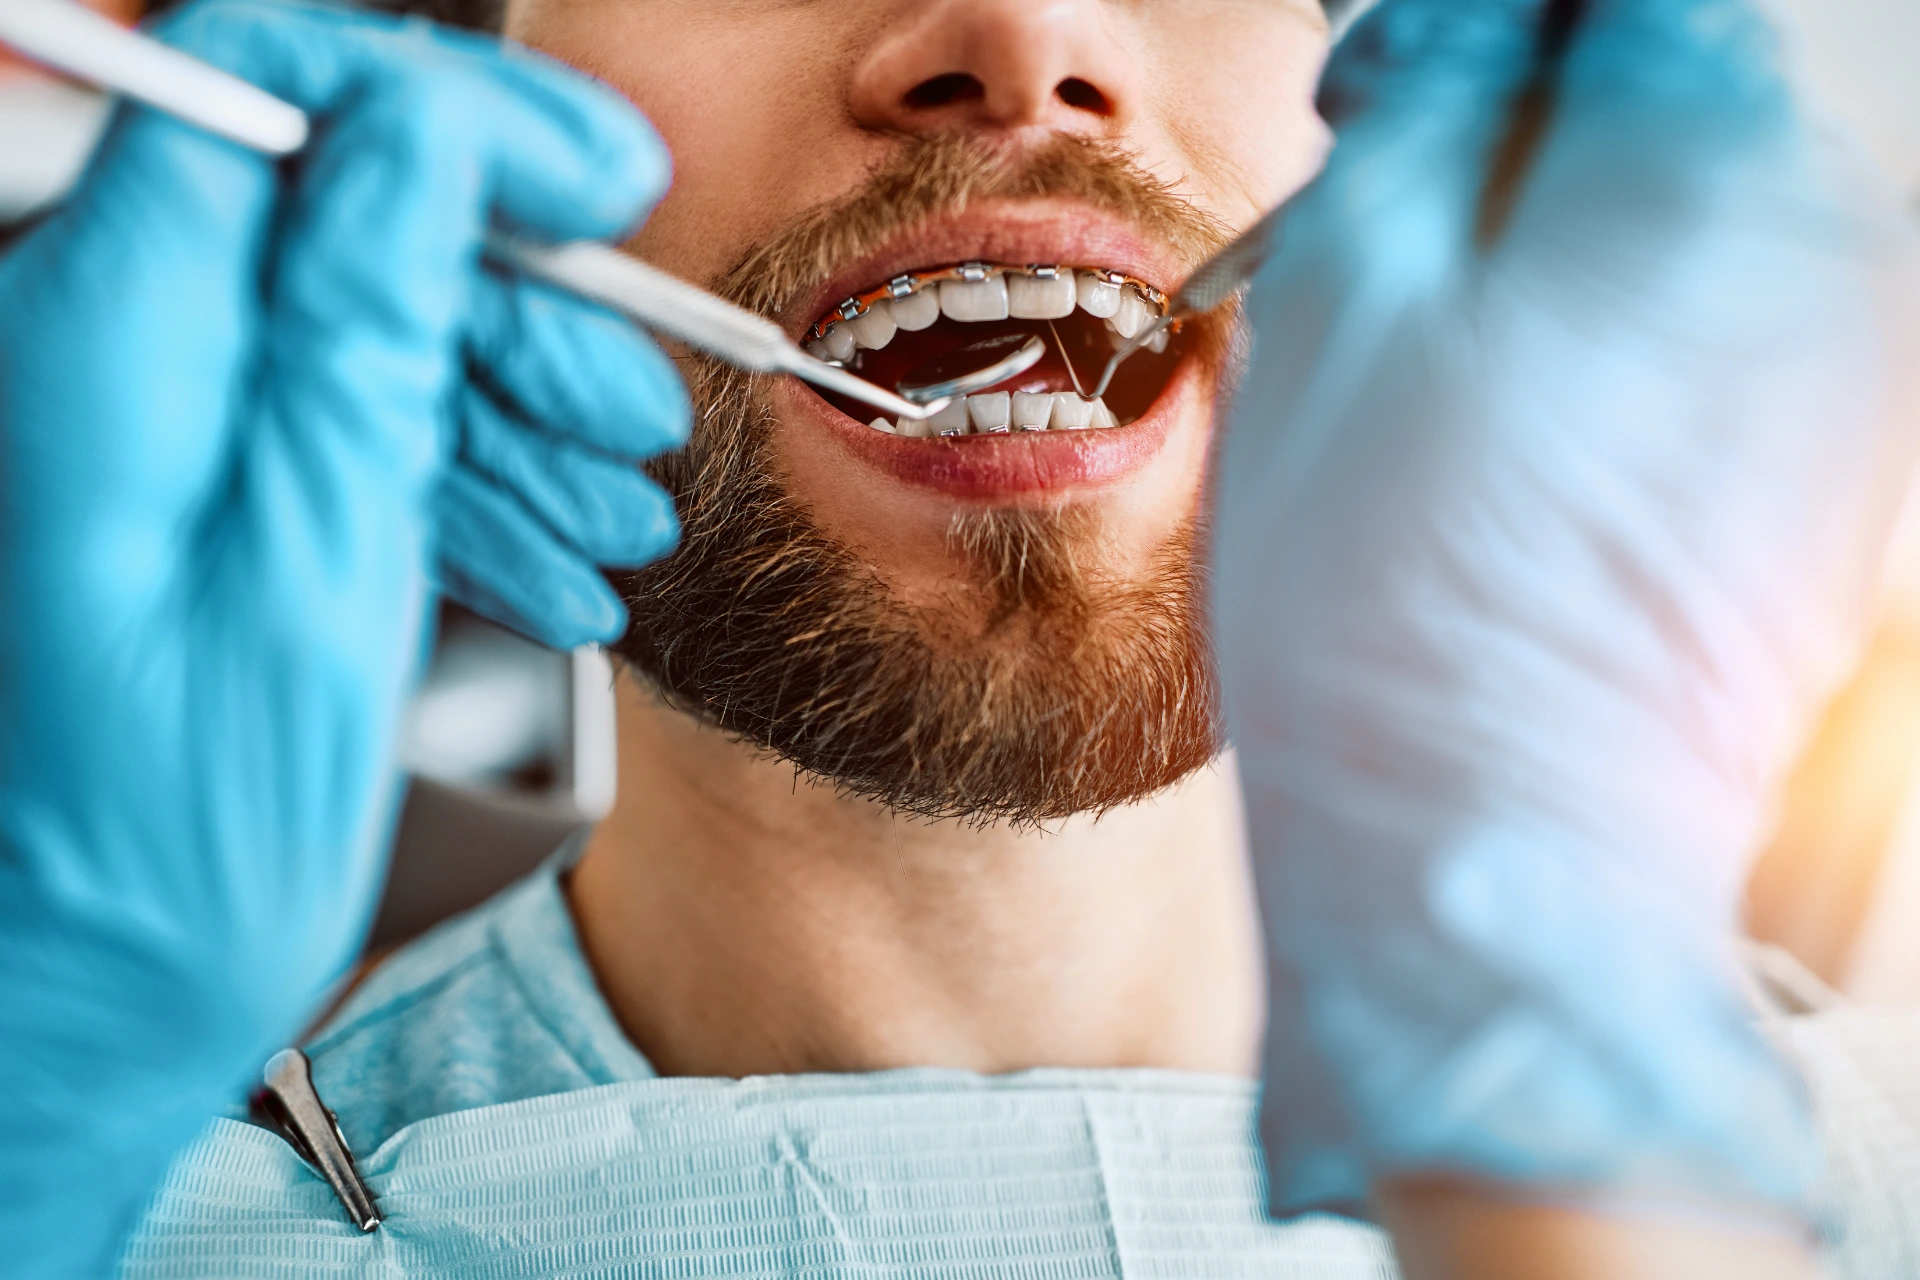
[(999, 467)]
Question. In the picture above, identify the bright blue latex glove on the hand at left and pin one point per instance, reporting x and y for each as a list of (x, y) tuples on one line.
[(245, 412)]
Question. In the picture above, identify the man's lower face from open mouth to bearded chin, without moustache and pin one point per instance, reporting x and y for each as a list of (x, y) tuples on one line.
[(988, 617)]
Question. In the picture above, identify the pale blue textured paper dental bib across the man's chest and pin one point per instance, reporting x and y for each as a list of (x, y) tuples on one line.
[(911, 1173)]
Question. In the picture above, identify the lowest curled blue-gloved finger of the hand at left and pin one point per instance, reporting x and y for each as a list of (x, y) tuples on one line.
[(502, 561)]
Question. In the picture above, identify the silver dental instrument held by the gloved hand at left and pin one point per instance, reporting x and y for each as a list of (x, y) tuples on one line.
[(99, 51)]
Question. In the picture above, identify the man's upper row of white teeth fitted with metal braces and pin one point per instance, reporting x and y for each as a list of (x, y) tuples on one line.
[(980, 293)]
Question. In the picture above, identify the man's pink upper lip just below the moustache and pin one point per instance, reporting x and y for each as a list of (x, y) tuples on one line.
[(1013, 233)]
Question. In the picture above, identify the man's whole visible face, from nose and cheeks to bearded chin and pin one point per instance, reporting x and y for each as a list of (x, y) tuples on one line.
[(1001, 621)]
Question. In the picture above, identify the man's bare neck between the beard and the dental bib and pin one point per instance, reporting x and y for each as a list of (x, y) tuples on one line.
[(746, 922)]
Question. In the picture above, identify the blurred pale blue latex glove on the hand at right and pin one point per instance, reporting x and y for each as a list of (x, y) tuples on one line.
[(1533, 567)]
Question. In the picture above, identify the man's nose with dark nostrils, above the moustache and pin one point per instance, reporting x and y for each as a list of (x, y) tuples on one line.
[(953, 66)]
